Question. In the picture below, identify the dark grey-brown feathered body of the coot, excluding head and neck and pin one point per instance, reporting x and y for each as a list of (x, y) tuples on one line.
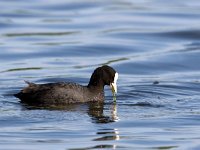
[(58, 93)]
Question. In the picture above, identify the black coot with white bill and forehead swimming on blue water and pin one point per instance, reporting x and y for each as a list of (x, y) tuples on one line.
[(65, 93)]
